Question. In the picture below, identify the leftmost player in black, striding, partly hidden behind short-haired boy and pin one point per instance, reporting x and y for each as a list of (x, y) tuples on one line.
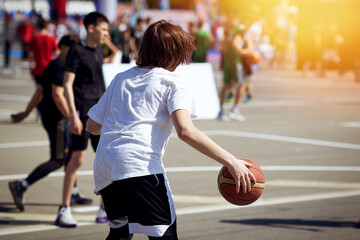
[(49, 95)]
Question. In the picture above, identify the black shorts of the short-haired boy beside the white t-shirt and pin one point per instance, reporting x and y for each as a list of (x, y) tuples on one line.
[(79, 143)]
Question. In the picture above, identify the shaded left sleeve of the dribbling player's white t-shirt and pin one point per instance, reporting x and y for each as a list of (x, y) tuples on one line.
[(98, 111)]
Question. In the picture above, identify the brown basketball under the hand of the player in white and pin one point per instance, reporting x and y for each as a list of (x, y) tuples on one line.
[(227, 186)]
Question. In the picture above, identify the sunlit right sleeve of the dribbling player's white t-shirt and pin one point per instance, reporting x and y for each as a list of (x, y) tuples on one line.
[(180, 97)]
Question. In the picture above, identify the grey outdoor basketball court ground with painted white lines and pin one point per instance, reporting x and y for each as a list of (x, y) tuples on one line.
[(303, 131)]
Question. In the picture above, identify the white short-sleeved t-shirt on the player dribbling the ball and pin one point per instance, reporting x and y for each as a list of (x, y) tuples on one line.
[(135, 114)]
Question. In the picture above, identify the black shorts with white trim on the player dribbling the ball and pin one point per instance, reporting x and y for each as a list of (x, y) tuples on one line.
[(143, 204)]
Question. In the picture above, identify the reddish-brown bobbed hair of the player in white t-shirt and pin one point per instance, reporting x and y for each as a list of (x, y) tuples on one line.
[(165, 45)]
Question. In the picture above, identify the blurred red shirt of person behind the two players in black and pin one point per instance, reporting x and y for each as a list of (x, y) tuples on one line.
[(43, 48)]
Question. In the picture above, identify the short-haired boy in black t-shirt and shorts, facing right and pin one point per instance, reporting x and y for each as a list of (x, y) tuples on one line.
[(83, 85)]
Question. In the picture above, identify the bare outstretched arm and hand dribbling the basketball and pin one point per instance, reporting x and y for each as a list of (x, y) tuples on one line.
[(198, 140)]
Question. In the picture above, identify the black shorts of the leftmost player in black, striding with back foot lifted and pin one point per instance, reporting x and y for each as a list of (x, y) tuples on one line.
[(59, 137)]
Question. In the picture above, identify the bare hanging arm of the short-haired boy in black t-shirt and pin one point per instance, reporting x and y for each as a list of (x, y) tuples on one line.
[(76, 126)]
